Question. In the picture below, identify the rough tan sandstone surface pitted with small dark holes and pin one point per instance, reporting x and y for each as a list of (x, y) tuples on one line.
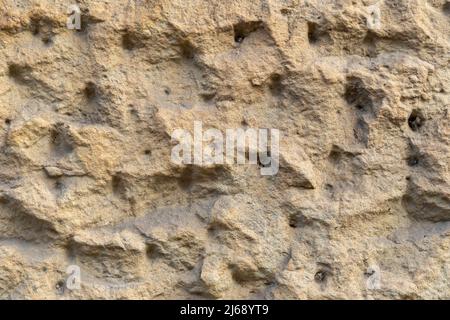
[(358, 89)]
